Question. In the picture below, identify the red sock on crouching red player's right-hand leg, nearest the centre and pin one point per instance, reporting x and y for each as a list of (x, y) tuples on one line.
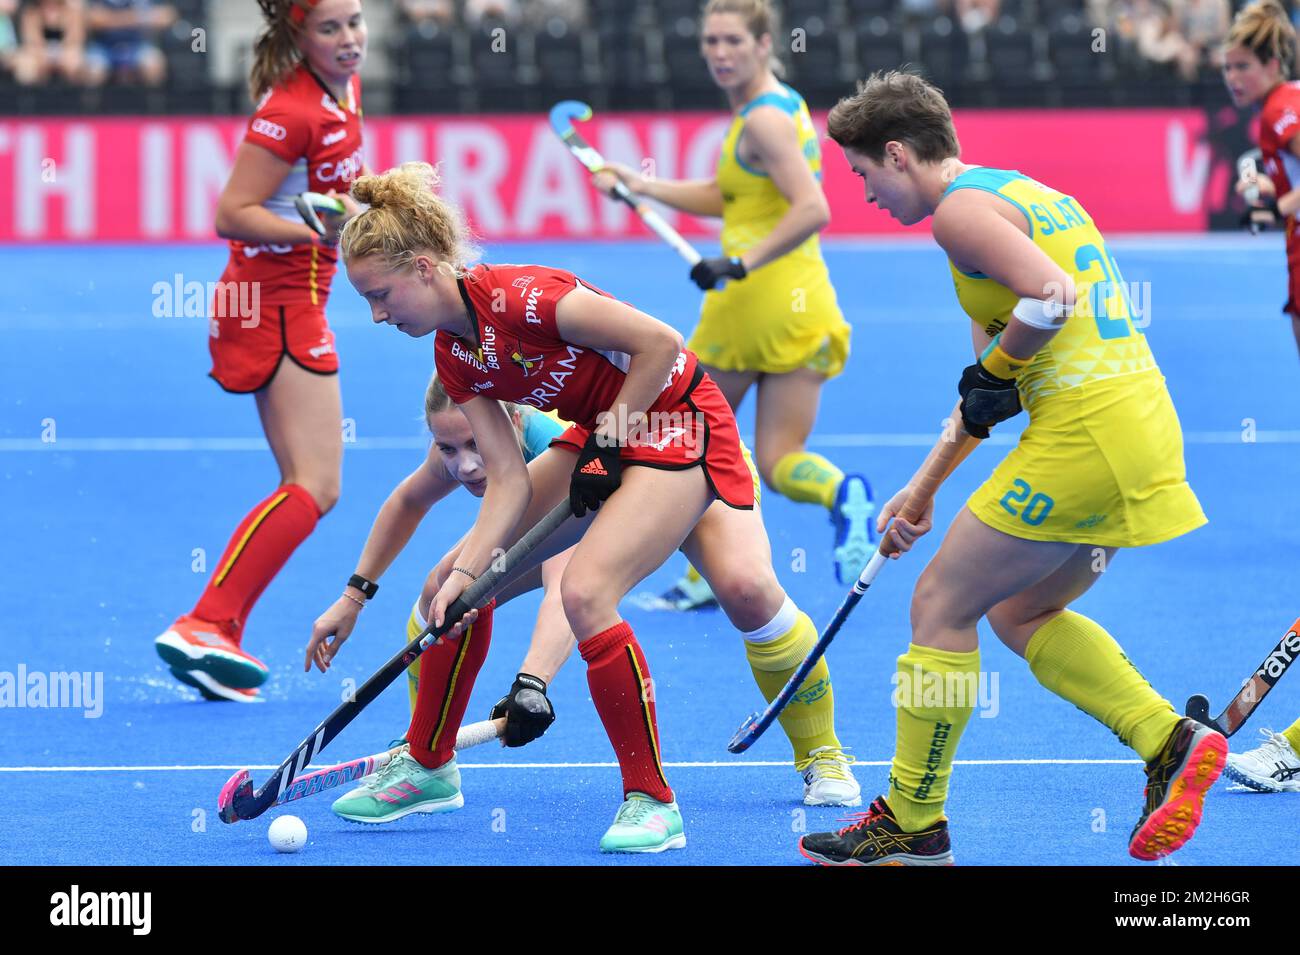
[(619, 678)]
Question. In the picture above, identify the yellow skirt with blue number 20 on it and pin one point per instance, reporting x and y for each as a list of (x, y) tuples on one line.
[(1099, 465)]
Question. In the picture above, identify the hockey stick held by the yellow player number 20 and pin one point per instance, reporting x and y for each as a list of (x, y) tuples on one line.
[(948, 454)]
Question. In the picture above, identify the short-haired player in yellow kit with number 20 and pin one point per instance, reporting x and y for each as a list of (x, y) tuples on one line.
[(1100, 467)]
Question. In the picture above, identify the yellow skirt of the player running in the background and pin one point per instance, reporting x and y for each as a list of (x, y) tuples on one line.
[(782, 319)]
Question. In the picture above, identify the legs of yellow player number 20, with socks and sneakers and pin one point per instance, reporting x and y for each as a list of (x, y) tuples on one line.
[(1068, 653)]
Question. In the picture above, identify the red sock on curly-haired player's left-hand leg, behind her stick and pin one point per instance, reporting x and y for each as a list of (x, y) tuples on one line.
[(447, 678)]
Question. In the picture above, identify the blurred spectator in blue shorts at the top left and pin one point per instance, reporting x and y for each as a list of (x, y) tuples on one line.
[(123, 41)]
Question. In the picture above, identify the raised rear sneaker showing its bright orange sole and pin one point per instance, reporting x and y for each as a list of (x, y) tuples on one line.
[(1177, 783)]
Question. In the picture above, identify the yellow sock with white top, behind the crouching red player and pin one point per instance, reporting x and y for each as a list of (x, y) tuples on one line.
[(775, 652)]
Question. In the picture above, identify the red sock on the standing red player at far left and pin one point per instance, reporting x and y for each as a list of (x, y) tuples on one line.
[(259, 548)]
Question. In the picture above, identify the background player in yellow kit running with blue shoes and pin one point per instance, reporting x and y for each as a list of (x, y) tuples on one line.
[(775, 323)]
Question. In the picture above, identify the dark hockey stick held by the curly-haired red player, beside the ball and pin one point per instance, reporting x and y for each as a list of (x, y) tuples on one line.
[(239, 800)]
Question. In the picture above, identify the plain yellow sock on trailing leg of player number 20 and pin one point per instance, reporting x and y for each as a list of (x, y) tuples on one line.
[(1078, 661)]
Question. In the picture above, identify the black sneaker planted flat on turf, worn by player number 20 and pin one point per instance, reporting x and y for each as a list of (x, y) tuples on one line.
[(876, 839)]
